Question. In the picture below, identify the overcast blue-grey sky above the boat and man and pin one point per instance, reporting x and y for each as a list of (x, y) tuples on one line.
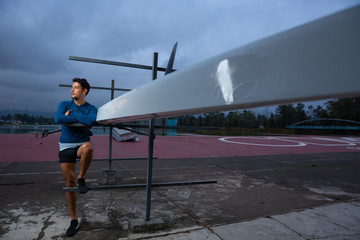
[(38, 36)]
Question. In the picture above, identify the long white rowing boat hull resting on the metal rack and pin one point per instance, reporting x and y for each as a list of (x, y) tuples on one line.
[(318, 60)]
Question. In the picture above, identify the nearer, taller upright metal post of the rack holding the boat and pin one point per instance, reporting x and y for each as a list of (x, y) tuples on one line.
[(151, 148)]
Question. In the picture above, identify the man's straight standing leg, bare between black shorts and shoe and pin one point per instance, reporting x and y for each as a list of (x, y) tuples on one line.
[(69, 170)]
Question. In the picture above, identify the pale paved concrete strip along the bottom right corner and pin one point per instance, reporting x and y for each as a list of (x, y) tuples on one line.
[(334, 222)]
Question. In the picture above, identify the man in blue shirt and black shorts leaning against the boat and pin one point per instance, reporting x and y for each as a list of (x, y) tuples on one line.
[(75, 143)]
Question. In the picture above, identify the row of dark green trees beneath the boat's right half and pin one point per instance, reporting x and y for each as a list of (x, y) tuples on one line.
[(348, 108)]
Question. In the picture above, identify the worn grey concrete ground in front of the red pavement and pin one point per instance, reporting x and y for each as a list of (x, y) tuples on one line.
[(285, 196)]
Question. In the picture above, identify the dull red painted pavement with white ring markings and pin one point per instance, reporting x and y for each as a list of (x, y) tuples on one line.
[(26, 147)]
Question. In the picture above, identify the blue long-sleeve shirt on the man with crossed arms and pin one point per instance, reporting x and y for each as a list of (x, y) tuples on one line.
[(85, 114)]
